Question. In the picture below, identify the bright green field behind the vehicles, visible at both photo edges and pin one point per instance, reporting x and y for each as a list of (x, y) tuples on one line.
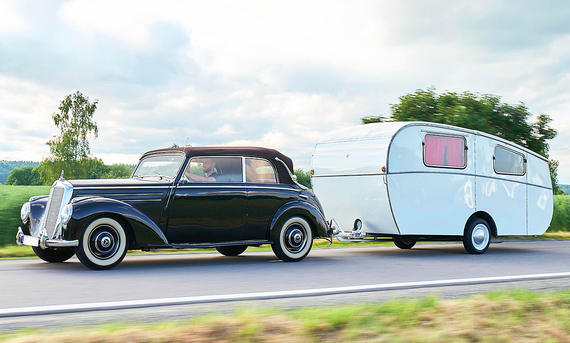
[(12, 198)]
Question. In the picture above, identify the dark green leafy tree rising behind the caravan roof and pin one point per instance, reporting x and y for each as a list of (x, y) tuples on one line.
[(478, 112)]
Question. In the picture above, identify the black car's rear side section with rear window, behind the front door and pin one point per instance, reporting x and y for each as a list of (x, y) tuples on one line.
[(264, 196)]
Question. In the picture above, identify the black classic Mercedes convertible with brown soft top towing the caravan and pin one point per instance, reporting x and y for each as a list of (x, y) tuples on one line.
[(226, 198)]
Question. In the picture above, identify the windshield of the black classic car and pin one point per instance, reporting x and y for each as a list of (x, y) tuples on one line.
[(162, 167)]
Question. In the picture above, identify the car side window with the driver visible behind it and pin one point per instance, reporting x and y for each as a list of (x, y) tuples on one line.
[(213, 169)]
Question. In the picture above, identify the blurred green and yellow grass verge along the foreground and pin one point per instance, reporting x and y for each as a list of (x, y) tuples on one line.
[(505, 316)]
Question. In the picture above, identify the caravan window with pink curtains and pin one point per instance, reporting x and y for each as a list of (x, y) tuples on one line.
[(444, 151)]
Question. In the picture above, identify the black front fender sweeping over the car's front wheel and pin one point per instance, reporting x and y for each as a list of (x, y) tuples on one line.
[(145, 231)]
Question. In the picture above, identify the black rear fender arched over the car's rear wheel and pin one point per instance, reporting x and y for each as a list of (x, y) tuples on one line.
[(303, 209)]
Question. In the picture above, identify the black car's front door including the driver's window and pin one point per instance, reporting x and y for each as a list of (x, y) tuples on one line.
[(208, 207)]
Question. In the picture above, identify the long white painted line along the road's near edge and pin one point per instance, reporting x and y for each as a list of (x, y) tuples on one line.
[(129, 304)]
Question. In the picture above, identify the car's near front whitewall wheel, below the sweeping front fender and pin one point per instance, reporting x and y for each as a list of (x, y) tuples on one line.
[(103, 244)]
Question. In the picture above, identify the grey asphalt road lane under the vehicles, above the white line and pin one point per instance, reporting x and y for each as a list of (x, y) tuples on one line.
[(32, 282)]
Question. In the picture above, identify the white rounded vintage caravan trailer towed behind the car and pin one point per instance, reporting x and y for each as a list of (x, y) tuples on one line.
[(413, 181)]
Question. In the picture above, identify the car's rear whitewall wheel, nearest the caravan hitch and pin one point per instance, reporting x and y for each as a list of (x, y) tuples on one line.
[(293, 240)]
